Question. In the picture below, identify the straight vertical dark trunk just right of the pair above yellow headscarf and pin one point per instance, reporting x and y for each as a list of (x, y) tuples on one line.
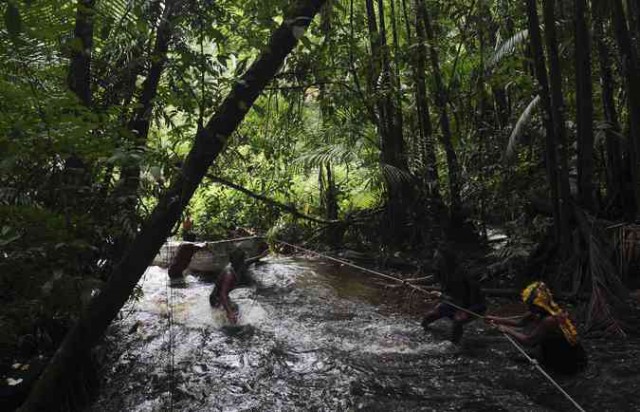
[(584, 105)]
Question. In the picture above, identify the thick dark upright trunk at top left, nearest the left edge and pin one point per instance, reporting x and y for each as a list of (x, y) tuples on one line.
[(79, 78)]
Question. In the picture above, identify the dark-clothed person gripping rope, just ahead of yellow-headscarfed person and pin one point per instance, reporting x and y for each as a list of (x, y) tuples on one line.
[(459, 292)]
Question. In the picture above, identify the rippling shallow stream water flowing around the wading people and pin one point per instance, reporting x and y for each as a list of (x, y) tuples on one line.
[(313, 336)]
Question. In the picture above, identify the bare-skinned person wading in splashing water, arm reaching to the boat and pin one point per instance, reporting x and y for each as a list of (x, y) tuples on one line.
[(233, 275)]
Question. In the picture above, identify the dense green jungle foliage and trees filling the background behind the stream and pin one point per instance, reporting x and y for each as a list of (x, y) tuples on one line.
[(392, 126)]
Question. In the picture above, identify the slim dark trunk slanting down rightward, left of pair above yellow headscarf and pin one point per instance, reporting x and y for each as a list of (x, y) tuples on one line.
[(551, 149)]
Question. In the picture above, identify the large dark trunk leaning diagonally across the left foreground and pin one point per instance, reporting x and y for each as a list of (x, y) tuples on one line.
[(209, 142)]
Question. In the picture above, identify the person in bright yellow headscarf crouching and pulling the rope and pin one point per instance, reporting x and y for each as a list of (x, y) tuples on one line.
[(547, 327)]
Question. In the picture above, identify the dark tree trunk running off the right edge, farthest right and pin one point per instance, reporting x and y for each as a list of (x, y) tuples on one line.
[(629, 65)]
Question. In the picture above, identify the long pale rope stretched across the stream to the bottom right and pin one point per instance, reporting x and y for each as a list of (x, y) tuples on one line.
[(531, 360)]
